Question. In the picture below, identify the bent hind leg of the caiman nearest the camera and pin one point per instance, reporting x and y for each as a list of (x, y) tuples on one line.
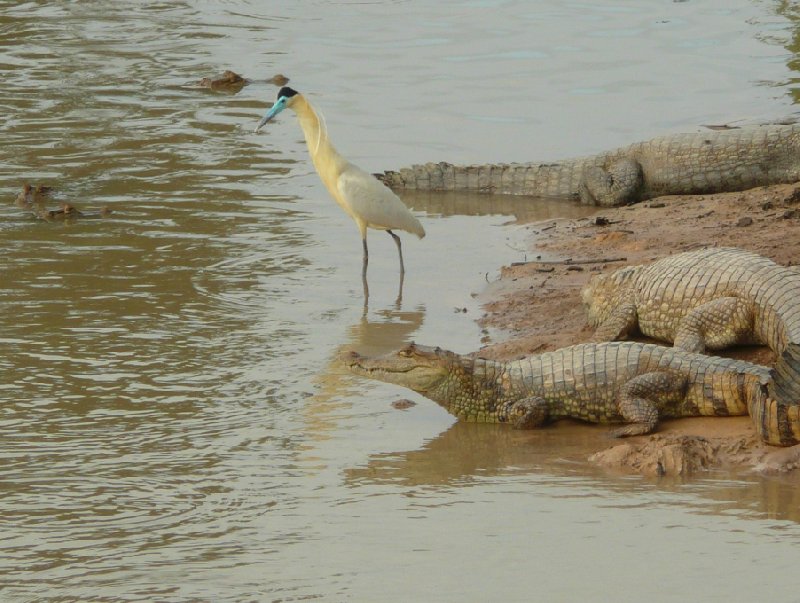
[(641, 397)]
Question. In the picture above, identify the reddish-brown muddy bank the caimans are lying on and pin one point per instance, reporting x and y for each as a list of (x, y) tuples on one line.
[(536, 307)]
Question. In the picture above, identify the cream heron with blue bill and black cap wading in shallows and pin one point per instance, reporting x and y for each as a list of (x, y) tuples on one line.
[(362, 196)]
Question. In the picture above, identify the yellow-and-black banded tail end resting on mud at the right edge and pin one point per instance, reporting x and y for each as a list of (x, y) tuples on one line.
[(777, 421)]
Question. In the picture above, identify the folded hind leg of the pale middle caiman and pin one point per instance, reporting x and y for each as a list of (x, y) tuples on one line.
[(715, 325)]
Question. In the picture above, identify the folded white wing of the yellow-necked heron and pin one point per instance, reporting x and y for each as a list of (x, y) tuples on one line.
[(371, 201)]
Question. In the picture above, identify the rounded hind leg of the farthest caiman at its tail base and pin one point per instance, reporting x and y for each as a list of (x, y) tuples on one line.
[(618, 184)]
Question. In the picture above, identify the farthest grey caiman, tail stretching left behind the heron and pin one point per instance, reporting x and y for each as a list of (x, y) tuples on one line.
[(677, 164)]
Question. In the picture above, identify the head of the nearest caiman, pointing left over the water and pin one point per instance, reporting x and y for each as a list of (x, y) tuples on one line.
[(416, 367)]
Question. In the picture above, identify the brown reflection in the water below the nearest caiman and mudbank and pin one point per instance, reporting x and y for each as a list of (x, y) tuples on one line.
[(467, 453)]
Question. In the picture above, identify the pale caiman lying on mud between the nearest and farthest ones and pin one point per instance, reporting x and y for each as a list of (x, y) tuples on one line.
[(710, 299)]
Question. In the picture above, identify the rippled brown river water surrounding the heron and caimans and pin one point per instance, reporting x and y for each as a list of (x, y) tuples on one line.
[(173, 424)]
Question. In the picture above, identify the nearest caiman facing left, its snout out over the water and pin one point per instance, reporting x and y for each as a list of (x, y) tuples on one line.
[(619, 382)]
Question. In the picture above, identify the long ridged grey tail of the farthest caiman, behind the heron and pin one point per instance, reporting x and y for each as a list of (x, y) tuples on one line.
[(546, 180)]
